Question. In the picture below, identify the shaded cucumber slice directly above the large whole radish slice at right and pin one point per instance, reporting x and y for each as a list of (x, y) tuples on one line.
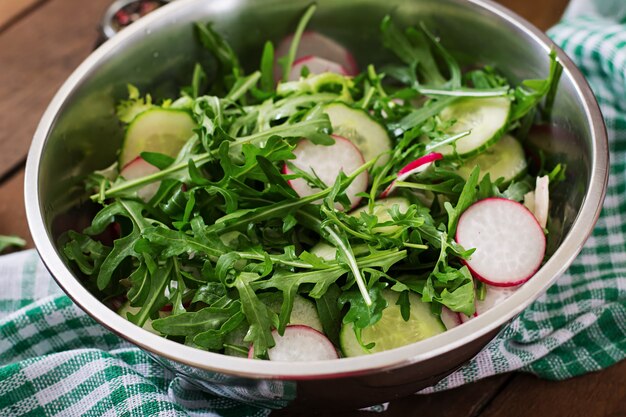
[(505, 159)]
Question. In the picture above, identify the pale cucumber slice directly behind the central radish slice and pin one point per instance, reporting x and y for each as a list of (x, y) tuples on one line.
[(357, 126)]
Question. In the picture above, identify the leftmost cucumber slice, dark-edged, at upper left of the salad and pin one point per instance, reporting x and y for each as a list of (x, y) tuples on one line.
[(157, 130)]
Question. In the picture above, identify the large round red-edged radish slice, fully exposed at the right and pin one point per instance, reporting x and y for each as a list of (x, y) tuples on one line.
[(509, 242)]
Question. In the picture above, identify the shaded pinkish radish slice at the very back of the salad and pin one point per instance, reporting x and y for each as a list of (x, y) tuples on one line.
[(314, 43)]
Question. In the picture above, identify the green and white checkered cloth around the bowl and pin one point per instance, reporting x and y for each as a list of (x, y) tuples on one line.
[(55, 360)]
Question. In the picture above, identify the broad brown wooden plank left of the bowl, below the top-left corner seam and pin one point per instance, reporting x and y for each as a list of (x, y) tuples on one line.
[(37, 53)]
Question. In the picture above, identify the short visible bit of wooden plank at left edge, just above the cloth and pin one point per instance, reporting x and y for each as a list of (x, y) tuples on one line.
[(12, 212)]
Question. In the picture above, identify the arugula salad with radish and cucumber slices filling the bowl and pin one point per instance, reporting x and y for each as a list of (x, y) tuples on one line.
[(316, 208)]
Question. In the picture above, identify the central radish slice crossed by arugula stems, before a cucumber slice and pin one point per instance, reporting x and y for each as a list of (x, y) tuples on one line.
[(327, 162)]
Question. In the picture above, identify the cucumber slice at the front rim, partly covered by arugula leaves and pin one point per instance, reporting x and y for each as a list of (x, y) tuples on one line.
[(391, 331)]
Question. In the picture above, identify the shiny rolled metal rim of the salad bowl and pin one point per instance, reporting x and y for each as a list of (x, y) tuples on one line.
[(345, 367)]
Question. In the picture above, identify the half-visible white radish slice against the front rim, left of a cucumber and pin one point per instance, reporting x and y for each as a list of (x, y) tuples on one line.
[(300, 343)]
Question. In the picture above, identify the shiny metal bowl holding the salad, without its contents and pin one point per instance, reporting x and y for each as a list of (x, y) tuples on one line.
[(79, 133)]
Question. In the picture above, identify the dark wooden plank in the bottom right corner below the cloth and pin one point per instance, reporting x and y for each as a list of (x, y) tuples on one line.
[(597, 394)]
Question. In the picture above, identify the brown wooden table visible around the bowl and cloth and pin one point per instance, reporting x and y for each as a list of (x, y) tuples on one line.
[(42, 41)]
